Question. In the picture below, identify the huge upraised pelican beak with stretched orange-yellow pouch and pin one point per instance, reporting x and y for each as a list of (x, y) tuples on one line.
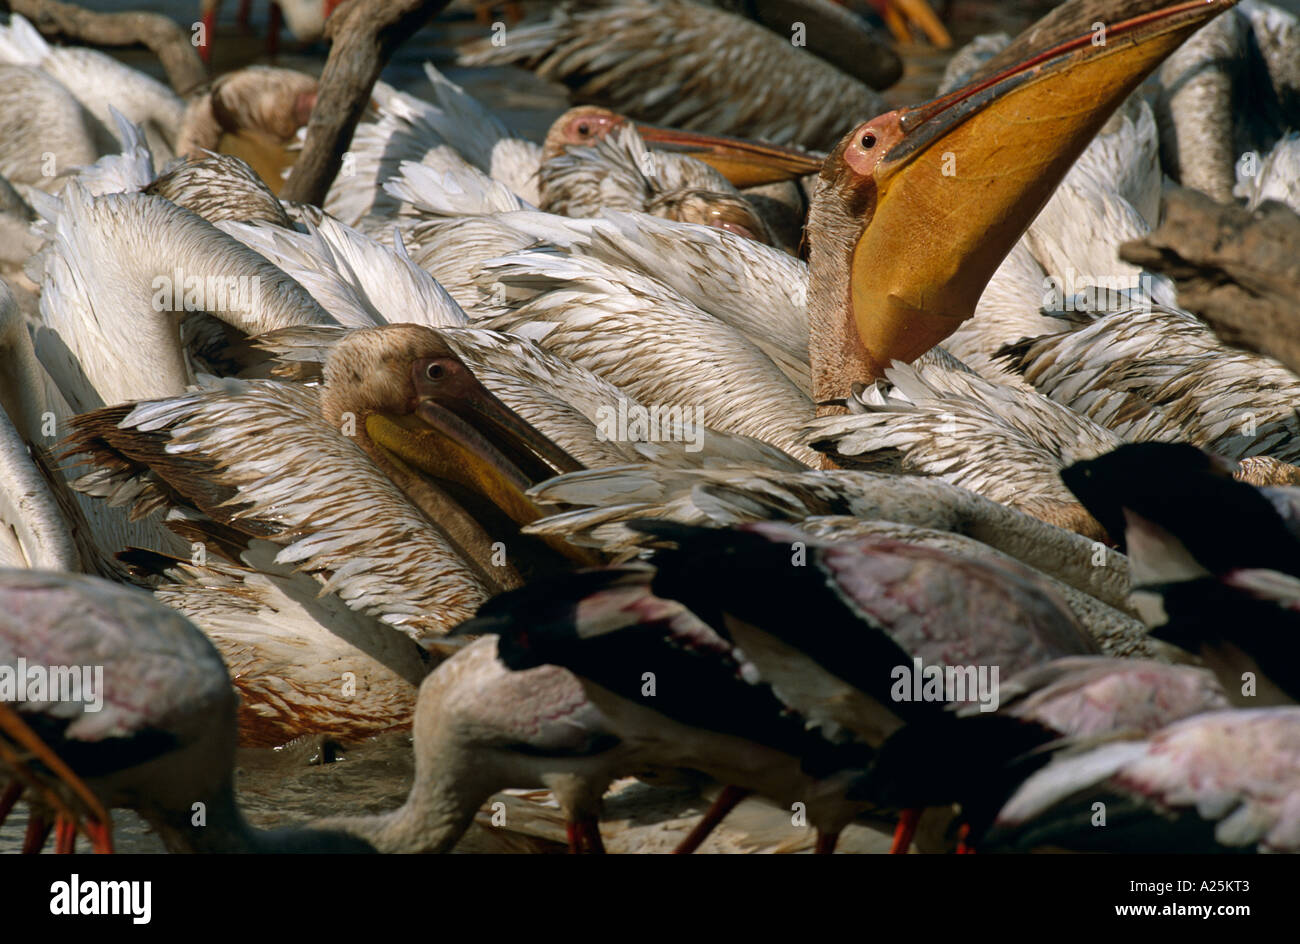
[(956, 181)]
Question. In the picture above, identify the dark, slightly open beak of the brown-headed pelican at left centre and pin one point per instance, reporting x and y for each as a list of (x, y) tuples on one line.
[(474, 441)]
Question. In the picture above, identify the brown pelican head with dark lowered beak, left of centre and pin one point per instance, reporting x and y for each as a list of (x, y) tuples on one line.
[(461, 454)]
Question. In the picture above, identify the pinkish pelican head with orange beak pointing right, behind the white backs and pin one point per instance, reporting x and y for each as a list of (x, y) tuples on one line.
[(743, 163)]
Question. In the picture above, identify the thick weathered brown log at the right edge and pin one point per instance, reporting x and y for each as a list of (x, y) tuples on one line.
[(1237, 270)]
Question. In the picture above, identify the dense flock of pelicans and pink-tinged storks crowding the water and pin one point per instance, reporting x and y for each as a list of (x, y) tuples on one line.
[(739, 434)]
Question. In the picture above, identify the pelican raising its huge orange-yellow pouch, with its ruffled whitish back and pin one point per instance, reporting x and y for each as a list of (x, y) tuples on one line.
[(857, 275)]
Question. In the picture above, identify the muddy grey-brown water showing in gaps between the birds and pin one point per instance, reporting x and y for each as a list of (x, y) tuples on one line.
[(281, 789)]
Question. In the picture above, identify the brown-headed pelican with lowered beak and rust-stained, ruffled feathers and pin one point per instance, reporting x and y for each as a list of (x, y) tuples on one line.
[(405, 497)]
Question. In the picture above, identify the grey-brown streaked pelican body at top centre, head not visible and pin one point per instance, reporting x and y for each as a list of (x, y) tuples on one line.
[(661, 46)]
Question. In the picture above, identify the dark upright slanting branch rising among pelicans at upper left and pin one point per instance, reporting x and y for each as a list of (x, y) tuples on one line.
[(365, 34)]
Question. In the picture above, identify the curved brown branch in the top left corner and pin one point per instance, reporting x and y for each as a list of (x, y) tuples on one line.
[(163, 36)]
